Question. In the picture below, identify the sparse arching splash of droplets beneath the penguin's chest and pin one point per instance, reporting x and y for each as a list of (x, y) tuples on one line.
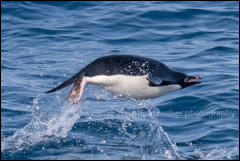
[(152, 140)]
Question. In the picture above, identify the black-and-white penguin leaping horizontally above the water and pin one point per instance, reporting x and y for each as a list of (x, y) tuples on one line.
[(128, 76)]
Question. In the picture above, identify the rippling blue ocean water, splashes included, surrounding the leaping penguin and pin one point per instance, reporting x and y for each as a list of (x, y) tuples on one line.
[(45, 43)]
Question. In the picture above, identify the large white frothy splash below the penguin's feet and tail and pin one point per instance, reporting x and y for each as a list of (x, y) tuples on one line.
[(42, 127)]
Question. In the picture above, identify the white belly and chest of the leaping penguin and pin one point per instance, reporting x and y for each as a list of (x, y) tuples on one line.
[(130, 86)]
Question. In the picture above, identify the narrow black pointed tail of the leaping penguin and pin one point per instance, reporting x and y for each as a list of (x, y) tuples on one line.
[(70, 81)]
